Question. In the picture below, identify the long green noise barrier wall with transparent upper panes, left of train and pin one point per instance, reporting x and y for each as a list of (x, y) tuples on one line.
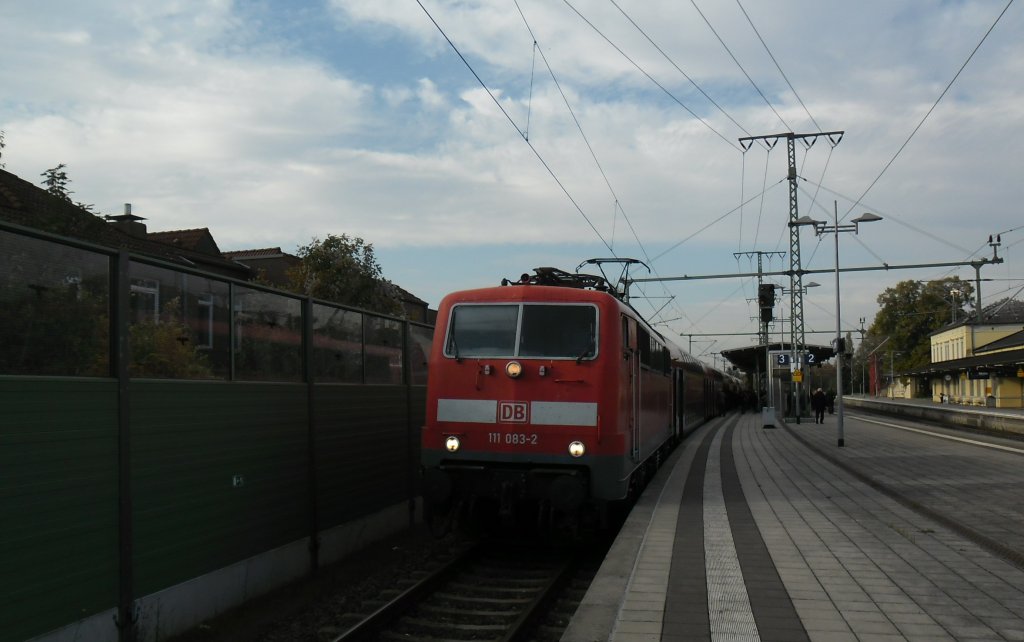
[(214, 413)]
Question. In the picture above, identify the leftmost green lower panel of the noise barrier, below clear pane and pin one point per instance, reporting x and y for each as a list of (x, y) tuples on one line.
[(59, 501)]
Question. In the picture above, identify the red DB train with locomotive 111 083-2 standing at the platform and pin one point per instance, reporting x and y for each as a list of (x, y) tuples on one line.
[(551, 402)]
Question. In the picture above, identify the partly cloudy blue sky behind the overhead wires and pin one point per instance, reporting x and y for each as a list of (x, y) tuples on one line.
[(472, 141)]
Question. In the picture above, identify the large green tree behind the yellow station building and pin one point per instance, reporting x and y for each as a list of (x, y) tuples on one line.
[(910, 313)]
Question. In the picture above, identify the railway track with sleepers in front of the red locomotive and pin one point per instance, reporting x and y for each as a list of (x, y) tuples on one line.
[(492, 592)]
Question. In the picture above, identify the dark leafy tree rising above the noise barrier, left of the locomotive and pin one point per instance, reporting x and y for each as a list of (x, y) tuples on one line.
[(344, 270)]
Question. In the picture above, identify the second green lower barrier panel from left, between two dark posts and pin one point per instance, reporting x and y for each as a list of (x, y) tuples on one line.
[(220, 474)]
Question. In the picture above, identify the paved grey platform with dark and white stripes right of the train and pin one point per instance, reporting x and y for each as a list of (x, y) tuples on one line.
[(909, 533)]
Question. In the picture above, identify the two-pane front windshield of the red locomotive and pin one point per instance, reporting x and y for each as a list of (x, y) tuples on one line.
[(535, 331)]
